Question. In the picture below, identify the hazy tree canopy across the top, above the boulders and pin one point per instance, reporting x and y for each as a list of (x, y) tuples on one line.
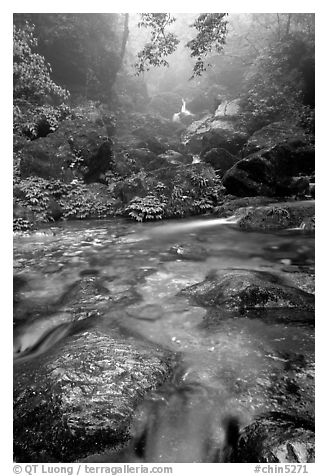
[(266, 60)]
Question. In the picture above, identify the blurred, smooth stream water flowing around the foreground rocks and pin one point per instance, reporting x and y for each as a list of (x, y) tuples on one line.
[(143, 267)]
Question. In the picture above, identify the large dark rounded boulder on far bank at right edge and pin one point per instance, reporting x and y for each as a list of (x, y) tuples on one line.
[(272, 171)]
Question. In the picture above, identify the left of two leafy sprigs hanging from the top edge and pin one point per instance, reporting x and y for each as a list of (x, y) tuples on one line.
[(161, 44)]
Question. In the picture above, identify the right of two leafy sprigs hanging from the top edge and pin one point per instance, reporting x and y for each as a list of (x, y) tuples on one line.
[(212, 31)]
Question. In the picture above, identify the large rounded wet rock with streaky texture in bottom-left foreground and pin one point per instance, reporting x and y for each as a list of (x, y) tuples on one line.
[(80, 399)]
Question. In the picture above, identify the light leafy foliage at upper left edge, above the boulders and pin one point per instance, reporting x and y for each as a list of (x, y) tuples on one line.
[(31, 72)]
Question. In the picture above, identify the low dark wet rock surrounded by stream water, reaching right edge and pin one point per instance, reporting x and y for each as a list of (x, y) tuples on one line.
[(243, 290)]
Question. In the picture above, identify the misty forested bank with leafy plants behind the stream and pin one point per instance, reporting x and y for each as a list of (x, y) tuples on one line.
[(94, 94)]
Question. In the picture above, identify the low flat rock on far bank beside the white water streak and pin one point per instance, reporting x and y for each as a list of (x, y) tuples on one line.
[(277, 216)]
